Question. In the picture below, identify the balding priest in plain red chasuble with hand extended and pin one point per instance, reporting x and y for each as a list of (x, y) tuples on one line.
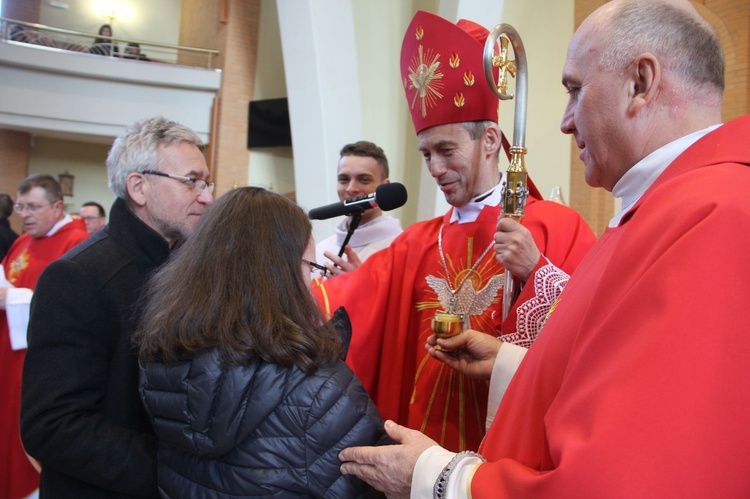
[(638, 385)]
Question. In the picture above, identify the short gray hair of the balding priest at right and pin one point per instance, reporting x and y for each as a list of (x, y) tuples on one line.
[(685, 45)]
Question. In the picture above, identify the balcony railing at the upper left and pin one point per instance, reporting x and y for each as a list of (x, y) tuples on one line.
[(110, 46)]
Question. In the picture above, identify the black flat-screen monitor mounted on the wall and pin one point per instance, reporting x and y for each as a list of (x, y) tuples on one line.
[(268, 123)]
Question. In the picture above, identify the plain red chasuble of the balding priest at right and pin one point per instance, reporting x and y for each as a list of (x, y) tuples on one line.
[(639, 385)]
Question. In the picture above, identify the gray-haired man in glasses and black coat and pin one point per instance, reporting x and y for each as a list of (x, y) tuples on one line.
[(81, 413)]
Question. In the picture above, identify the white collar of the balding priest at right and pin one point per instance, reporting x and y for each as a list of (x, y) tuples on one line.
[(639, 178)]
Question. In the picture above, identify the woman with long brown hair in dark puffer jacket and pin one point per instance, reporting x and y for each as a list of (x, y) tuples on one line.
[(241, 377)]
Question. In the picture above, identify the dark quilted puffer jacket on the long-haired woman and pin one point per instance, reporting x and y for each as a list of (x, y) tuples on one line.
[(257, 430)]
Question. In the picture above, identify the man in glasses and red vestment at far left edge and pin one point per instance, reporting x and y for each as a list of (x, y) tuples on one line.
[(48, 233)]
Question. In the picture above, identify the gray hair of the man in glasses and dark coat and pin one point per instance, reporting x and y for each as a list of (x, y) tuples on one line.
[(137, 149)]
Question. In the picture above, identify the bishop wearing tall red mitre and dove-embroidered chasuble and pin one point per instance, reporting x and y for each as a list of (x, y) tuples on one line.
[(449, 262)]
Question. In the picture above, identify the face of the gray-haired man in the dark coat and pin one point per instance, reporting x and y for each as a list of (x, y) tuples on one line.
[(174, 207)]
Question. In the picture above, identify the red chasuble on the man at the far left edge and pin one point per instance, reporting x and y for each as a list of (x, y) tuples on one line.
[(22, 265)]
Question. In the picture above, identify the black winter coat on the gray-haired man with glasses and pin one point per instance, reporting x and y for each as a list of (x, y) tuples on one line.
[(81, 414)]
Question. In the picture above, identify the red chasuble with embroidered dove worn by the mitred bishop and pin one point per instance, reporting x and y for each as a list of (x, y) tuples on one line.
[(393, 296)]
